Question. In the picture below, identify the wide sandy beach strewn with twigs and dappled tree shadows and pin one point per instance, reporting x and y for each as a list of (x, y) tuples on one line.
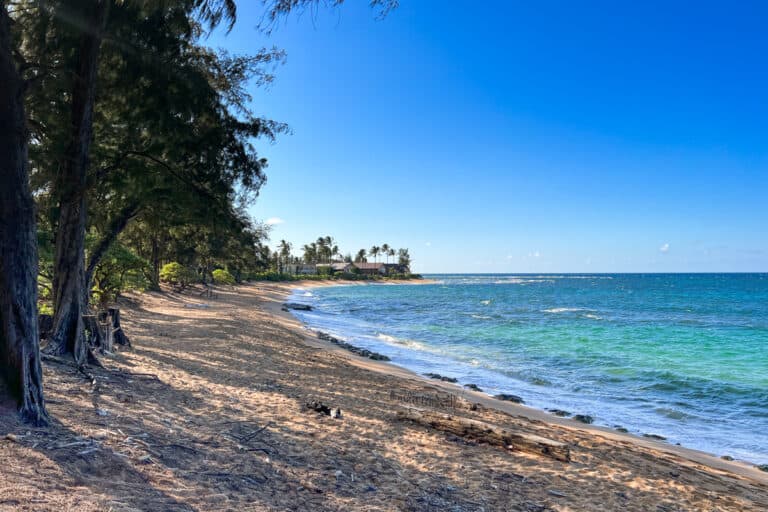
[(207, 412)]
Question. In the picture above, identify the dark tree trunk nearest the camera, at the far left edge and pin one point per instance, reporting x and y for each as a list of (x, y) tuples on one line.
[(19, 344)]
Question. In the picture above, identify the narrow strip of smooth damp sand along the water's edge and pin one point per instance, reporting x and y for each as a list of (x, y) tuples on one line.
[(743, 468)]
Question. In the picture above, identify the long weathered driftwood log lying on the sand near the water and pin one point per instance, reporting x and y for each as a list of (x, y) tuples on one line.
[(487, 433)]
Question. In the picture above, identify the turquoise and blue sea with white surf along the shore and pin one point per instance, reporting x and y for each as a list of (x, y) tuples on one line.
[(684, 356)]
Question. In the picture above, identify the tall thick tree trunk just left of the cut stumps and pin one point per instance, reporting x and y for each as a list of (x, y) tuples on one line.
[(69, 262)]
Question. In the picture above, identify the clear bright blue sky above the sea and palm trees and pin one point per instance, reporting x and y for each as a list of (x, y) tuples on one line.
[(522, 136)]
